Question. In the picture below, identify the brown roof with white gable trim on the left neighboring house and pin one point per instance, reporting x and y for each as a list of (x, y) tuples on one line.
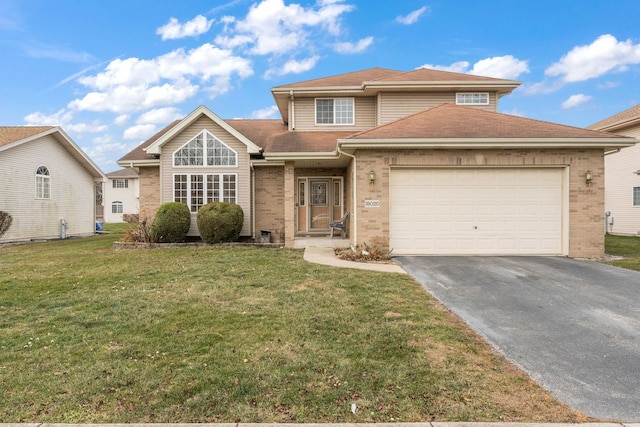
[(12, 136)]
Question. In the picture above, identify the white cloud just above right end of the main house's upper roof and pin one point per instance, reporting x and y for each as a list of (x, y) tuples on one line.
[(500, 67)]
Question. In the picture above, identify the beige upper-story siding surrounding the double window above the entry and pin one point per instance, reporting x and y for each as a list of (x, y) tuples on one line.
[(304, 115)]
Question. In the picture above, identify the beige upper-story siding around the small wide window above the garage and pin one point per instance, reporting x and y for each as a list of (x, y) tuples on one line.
[(394, 106)]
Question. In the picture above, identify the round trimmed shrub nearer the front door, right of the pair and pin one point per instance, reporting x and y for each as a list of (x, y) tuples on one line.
[(220, 222)]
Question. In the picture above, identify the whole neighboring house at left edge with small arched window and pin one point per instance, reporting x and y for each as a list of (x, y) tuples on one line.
[(47, 184)]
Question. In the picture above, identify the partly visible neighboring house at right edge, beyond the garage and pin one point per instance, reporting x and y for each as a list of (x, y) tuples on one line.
[(622, 174)]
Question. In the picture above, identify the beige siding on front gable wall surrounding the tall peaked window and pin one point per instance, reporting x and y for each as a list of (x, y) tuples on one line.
[(242, 170)]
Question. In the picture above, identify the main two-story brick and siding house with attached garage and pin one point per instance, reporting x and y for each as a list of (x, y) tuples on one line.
[(420, 160)]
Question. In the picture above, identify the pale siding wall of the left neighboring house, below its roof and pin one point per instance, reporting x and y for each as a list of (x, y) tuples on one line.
[(72, 192)]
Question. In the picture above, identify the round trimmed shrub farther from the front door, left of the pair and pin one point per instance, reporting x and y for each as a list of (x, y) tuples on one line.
[(171, 224)]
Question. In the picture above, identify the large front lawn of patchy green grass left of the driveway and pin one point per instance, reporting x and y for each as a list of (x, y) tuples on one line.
[(89, 334)]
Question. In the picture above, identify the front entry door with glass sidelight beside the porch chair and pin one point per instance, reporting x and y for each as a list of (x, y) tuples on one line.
[(319, 202)]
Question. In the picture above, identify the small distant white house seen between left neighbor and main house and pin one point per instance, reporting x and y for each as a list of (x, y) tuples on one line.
[(121, 194)]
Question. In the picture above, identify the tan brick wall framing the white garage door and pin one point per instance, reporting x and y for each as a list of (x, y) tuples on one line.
[(586, 203)]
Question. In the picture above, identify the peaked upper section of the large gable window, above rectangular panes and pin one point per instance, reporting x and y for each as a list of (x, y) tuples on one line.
[(205, 150)]
